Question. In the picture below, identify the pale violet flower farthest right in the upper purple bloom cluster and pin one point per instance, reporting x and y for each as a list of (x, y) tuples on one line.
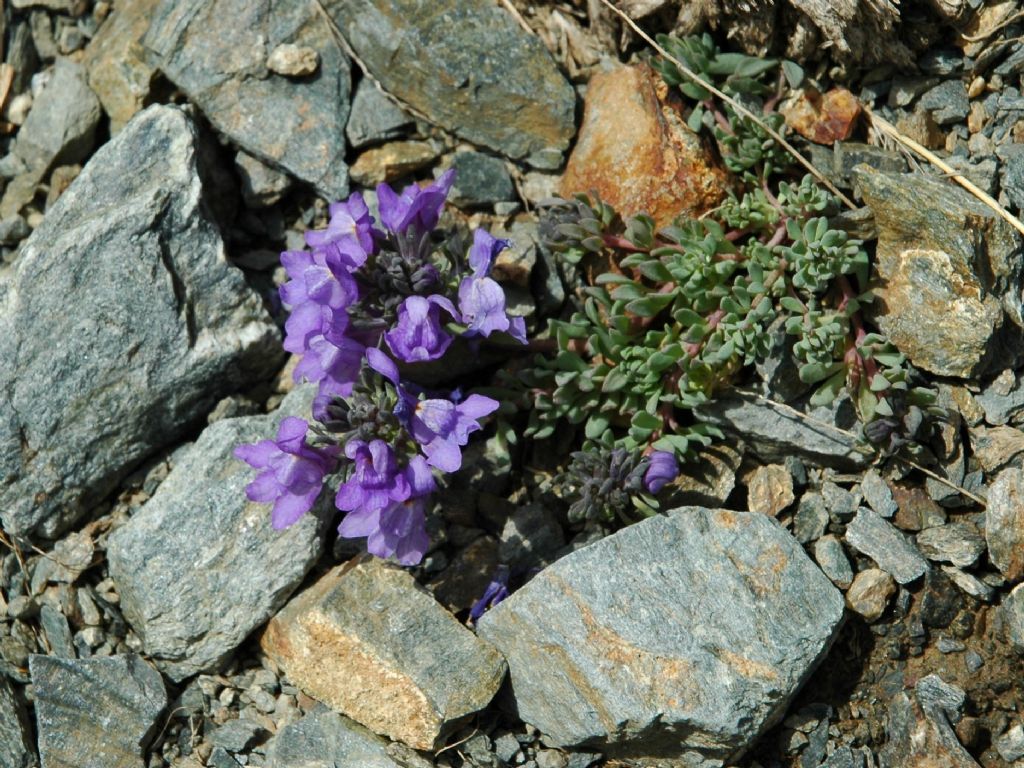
[(482, 301)]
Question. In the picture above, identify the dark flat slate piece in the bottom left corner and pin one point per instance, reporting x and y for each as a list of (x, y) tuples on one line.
[(96, 713)]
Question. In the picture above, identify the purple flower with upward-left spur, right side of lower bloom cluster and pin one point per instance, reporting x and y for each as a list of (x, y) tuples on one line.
[(441, 426)]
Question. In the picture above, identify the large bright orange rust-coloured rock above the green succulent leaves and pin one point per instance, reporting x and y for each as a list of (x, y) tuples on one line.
[(636, 152)]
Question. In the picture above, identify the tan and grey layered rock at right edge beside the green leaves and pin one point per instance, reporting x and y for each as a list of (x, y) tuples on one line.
[(951, 271)]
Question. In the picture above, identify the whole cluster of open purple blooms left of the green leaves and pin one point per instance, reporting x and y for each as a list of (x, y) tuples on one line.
[(364, 301)]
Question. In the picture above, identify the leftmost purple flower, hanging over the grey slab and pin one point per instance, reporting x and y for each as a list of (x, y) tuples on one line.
[(292, 472)]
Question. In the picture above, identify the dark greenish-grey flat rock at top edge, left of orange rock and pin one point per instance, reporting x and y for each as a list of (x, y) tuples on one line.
[(468, 67)]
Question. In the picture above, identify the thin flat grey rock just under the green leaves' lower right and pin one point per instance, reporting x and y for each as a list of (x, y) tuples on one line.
[(775, 433)]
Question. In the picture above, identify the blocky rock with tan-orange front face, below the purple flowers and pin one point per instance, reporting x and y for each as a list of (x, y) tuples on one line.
[(375, 647)]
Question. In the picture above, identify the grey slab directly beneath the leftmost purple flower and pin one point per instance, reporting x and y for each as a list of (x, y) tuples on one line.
[(193, 612)]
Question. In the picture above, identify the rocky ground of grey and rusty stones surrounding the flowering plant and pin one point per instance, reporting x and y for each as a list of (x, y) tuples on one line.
[(812, 608)]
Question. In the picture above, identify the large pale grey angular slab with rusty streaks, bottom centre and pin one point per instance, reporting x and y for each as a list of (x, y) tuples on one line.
[(685, 633)]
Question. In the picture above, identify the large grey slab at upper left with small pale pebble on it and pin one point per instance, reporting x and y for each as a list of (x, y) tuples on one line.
[(217, 52)]
